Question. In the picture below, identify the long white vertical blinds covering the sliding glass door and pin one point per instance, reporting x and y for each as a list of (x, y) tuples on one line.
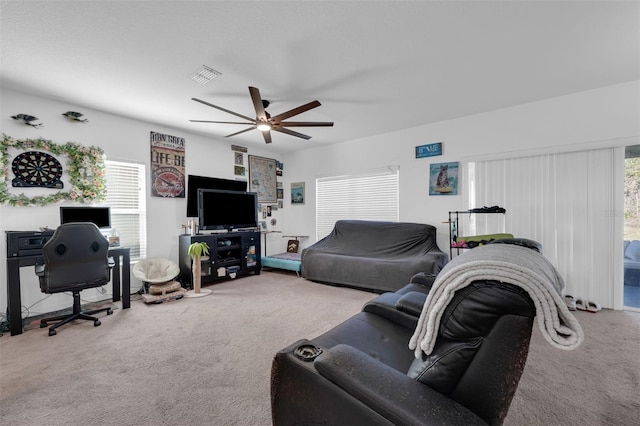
[(566, 201)]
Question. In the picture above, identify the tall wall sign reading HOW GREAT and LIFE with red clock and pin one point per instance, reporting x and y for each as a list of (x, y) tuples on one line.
[(167, 166)]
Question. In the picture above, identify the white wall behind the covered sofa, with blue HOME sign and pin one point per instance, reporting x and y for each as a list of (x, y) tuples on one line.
[(585, 119)]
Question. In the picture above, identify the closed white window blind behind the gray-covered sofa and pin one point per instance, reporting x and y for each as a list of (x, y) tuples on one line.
[(363, 196)]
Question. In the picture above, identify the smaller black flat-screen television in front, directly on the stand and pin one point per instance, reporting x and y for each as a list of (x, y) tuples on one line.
[(227, 210)]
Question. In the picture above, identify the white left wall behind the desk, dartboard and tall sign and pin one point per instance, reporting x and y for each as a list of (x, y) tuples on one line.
[(121, 139)]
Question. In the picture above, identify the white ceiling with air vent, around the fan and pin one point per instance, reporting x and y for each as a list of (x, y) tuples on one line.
[(376, 66)]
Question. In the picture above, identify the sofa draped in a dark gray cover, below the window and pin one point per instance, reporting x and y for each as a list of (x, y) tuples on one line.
[(372, 255)]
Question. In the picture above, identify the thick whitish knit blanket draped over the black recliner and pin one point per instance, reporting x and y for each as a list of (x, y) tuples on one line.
[(507, 263)]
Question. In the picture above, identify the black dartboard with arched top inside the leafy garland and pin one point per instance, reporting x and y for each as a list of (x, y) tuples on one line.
[(36, 169)]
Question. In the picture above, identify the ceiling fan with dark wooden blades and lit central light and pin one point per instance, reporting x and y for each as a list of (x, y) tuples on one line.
[(265, 122)]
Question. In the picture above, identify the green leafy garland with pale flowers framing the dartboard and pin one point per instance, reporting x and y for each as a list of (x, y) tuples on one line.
[(85, 167)]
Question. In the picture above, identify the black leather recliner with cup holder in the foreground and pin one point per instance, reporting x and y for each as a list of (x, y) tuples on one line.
[(363, 373)]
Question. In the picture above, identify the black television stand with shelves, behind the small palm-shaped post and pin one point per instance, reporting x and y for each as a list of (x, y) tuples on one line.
[(231, 255)]
